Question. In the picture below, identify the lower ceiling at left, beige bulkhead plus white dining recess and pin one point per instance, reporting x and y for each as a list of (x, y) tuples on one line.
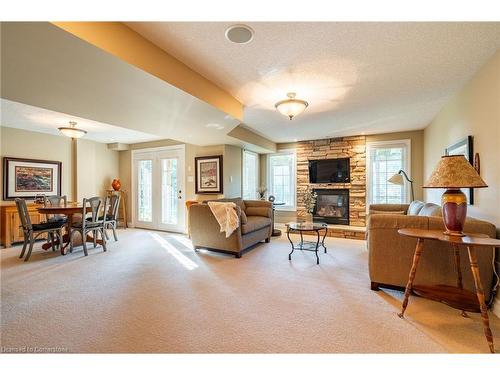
[(59, 77)]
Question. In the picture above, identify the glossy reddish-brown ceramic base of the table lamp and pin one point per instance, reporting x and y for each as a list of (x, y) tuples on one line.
[(454, 203)]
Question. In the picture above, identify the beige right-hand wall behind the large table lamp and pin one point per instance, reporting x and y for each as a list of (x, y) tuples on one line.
[(475, 111)]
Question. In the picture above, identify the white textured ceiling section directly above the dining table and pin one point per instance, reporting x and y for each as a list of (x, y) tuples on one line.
[(26, 117)]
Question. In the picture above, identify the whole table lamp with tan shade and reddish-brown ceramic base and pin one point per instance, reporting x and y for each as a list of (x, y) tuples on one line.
[(452, 173)]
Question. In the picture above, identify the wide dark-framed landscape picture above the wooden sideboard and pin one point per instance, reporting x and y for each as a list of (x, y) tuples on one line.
[(28, 178)]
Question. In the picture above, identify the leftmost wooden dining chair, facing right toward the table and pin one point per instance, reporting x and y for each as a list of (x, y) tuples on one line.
[(32, 231)]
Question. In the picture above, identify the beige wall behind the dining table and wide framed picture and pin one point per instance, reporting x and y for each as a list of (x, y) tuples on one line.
[(96, 166)]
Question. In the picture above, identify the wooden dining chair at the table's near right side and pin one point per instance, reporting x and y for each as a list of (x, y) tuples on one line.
[(90, 223)]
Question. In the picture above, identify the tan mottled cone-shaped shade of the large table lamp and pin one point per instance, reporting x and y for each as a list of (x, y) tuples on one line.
[(454, 172)]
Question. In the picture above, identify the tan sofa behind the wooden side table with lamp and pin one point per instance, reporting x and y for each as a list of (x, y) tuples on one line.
[(390, 254)]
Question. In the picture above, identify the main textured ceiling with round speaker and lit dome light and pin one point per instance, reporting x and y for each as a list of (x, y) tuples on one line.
[(359, 78)]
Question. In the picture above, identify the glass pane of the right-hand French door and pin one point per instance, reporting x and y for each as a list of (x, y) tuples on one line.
[(169, 191)]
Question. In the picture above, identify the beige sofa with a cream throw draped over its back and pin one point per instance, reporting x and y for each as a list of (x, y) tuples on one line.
[(255, 225)]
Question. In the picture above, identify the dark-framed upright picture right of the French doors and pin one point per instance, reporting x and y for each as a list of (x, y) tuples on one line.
[(208, 175)]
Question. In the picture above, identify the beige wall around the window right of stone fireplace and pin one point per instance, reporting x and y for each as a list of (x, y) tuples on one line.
[(417, 155)]
